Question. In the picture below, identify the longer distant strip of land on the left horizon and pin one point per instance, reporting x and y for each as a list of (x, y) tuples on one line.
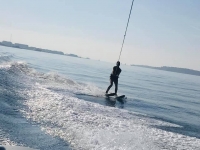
[(26, 47)]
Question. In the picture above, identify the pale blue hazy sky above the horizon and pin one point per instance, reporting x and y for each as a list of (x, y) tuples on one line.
[(160, 32)]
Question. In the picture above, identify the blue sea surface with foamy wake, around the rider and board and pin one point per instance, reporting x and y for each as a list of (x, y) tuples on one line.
[(50, 102)]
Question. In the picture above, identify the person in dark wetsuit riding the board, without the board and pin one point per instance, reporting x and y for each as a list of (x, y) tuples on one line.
[(114, 77)]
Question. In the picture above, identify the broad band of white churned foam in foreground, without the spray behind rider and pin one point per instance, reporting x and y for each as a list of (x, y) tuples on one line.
[(89, 125)]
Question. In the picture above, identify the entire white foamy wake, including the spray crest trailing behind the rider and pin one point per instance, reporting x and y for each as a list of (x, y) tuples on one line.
[(50, 100)]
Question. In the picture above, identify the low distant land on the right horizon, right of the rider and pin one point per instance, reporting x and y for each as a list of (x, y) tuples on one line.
[(173, 69)]
